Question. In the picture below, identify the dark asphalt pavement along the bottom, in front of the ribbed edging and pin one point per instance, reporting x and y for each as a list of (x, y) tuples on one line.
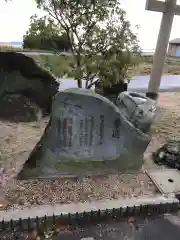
[(164, 227)]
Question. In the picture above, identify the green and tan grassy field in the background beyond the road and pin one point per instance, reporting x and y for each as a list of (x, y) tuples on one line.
[(64, 66)]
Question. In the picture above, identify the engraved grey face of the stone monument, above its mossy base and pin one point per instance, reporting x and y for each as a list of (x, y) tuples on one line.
[(86, 126)]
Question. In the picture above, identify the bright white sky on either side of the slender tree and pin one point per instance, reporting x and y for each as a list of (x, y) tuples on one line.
[(15, 20)]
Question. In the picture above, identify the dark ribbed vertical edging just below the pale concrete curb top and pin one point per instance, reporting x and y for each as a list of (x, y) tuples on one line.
[(92, 217)]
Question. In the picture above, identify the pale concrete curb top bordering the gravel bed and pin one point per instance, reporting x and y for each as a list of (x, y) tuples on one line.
[(65, 209)]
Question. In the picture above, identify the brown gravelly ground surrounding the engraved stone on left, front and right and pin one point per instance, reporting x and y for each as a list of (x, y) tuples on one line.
[(18, 139)]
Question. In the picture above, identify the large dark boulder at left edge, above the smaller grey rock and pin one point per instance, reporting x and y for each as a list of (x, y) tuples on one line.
[(20, 74)]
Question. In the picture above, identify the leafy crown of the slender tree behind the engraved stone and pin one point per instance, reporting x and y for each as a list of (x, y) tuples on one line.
[(95, 30)]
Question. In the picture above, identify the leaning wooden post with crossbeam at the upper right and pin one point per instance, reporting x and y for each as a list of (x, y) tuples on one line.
[(169, 8)]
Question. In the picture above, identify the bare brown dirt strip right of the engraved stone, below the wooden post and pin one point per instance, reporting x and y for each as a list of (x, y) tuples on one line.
[(167, 124)]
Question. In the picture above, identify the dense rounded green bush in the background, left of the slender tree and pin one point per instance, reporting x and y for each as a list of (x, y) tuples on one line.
[(45, 34)]
